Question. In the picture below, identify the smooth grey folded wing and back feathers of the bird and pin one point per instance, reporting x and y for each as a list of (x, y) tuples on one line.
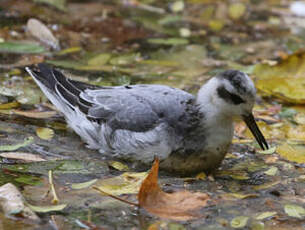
[(137, 108)]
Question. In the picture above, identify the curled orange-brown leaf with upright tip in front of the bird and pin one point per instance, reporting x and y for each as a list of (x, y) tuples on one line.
[(181, 205)]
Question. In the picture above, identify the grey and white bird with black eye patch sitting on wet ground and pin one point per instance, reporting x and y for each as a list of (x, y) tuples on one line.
[(136, 123)]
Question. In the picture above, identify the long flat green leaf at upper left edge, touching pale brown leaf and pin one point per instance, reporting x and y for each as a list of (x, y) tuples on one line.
[(18, 47)]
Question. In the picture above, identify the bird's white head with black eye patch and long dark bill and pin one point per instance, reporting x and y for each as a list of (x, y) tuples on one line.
[(231, 94)]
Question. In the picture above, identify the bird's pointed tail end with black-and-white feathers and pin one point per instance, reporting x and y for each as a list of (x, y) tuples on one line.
[(65, 94)]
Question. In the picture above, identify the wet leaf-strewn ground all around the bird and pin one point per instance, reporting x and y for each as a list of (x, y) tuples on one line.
[(177, 43)]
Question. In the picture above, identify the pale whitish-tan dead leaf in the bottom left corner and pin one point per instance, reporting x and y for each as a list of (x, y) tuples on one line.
[(12, 203)]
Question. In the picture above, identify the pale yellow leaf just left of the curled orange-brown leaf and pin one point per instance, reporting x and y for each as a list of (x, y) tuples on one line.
[(127, 183)]
